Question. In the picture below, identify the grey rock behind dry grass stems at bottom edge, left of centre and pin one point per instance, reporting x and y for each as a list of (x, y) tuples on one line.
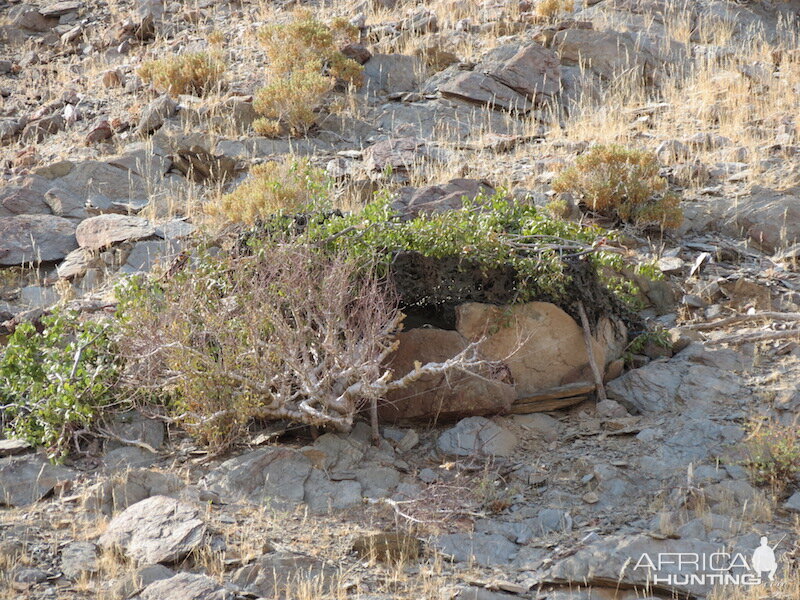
[(275, 575)]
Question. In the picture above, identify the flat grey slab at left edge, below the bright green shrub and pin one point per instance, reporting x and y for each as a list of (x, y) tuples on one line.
[(26, 479)]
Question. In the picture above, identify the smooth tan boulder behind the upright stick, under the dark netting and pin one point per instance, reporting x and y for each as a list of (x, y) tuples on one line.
[(541, 344)]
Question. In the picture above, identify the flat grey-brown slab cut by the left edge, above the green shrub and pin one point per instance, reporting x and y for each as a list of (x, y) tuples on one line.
[(35, 238)]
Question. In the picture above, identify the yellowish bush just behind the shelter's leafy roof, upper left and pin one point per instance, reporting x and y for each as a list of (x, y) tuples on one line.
[(288, 185)]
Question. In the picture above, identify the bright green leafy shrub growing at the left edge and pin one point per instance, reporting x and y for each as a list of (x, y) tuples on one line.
[(55, 383)]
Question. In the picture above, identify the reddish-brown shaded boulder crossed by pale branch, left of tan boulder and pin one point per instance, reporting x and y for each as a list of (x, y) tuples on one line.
[(434, 397)]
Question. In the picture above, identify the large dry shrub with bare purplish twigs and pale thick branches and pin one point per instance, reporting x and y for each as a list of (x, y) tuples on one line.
[(287, 333)]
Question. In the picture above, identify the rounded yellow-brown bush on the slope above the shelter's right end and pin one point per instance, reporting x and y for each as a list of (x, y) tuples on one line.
[(622, 184)]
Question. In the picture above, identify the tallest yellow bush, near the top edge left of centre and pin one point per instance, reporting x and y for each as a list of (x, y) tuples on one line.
[(304, 65)]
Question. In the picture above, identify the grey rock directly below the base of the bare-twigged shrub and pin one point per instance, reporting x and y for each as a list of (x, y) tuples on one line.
[(263, 476)]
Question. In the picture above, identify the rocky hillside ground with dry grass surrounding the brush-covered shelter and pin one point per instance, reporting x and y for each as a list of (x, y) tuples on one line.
[(556, 505)]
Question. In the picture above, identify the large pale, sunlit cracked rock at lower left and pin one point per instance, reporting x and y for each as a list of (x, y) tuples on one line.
[(156, 530)]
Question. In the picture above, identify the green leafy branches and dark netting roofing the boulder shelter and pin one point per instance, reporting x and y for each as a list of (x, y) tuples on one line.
[(463, 255)]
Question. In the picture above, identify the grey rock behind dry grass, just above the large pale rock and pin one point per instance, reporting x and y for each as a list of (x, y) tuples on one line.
[(128, 488)]
